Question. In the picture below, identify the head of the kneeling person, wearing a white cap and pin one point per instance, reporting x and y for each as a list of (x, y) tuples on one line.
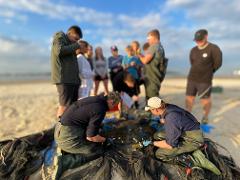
[(156, 105)]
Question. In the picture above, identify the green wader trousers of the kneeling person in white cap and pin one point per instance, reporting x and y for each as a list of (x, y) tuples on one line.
[(189, 142)]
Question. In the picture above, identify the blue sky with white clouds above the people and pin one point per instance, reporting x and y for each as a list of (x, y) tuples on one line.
[(27, 27)]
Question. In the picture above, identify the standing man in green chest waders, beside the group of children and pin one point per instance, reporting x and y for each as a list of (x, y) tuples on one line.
[(155, 64)]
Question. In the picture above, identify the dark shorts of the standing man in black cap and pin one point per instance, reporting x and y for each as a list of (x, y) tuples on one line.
[(202, 90)]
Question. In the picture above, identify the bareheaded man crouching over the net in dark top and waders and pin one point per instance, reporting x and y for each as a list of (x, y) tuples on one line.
[(77, 133)]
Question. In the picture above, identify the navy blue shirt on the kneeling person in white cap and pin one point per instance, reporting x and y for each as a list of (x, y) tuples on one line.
[(177, 121)]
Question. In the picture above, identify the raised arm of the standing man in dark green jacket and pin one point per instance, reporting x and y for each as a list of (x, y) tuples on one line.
[(60, 49)]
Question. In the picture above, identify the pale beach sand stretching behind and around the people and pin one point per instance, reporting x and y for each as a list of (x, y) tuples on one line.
[(30, 107)]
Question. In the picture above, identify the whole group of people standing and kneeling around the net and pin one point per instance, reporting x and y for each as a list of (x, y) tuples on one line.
[(74, 68)]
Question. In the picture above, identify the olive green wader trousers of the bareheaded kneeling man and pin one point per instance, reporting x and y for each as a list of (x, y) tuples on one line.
[(72, 139)]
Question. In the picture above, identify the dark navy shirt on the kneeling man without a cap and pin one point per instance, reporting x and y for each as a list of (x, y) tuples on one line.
[(87, 113)]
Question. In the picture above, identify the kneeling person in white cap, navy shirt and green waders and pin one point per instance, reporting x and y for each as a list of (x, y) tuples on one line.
[(182, 134)]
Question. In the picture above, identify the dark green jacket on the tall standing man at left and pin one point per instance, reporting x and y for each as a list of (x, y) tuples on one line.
[(64, 66)]
